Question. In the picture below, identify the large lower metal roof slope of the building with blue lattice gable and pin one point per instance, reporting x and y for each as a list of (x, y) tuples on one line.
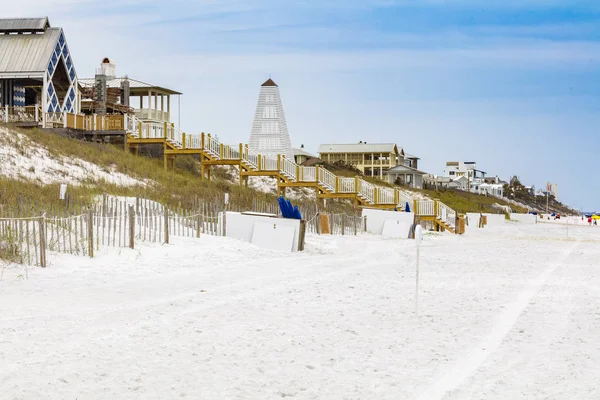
[(27, 53)]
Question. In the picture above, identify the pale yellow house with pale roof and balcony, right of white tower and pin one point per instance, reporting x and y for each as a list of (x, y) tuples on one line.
[(372, 159)]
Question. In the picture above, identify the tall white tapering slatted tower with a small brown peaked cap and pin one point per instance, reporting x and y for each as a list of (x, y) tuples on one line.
[(269, 134)]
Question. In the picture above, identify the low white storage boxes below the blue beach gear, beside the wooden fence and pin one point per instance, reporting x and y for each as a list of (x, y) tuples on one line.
[(251, 228)]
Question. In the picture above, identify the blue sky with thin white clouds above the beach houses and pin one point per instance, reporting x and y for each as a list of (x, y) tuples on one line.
[(512, 85)]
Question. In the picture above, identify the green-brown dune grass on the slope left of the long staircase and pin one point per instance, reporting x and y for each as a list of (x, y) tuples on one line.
[(181, 188)]
